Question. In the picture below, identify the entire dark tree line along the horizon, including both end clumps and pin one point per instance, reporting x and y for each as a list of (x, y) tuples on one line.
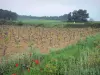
[(75, 16)]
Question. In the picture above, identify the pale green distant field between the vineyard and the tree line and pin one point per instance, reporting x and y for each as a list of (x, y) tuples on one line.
[(47, 23)]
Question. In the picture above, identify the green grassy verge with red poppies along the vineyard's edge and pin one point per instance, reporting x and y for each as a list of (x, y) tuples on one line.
[(82, 58)]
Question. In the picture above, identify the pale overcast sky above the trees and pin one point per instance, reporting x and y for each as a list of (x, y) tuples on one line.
[(51, 7)]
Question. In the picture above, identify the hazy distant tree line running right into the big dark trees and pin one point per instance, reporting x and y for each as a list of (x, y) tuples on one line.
[(75, 16)]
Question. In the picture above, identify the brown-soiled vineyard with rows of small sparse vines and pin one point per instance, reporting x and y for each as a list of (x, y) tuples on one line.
[(14, 39)]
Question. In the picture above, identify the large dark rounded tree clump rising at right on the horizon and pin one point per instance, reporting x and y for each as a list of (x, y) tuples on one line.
[(78, 16)]
